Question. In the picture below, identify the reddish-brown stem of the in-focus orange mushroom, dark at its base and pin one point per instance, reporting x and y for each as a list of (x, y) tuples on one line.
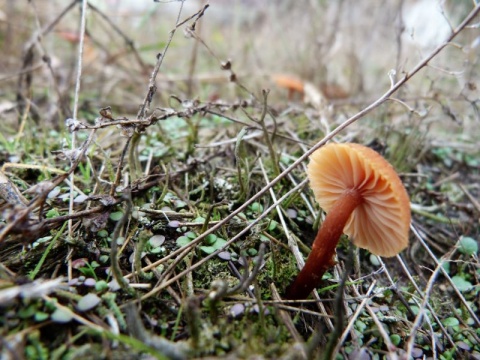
[(322, 256)]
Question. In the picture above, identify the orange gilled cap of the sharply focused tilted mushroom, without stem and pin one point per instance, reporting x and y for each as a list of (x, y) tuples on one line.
[(381, 222)]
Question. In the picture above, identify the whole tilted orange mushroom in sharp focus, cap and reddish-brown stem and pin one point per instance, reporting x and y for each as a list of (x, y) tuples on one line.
[(364, 198)]
